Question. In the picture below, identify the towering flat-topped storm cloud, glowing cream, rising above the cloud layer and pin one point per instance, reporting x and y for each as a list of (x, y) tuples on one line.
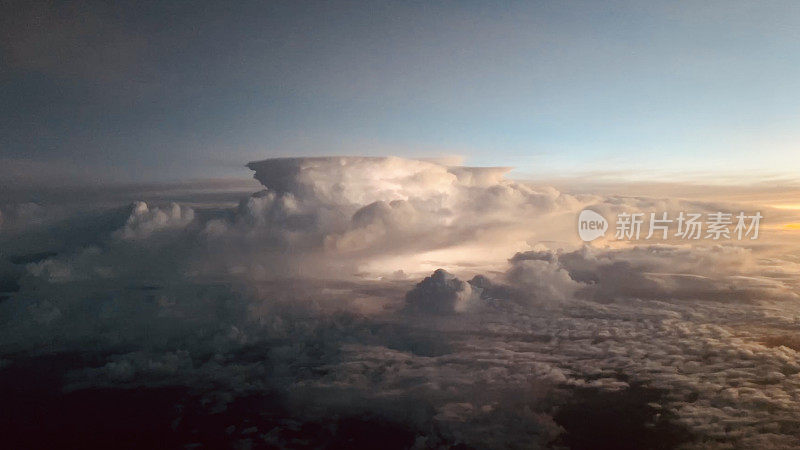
[(380, 215)]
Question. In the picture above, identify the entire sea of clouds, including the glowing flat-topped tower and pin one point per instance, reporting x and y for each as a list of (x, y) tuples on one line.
[(446, 302)]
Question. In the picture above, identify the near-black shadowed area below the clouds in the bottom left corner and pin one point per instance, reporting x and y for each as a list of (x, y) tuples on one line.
[(37, 414)]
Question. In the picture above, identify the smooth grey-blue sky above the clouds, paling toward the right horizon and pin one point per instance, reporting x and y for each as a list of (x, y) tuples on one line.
[(165, 91)]
